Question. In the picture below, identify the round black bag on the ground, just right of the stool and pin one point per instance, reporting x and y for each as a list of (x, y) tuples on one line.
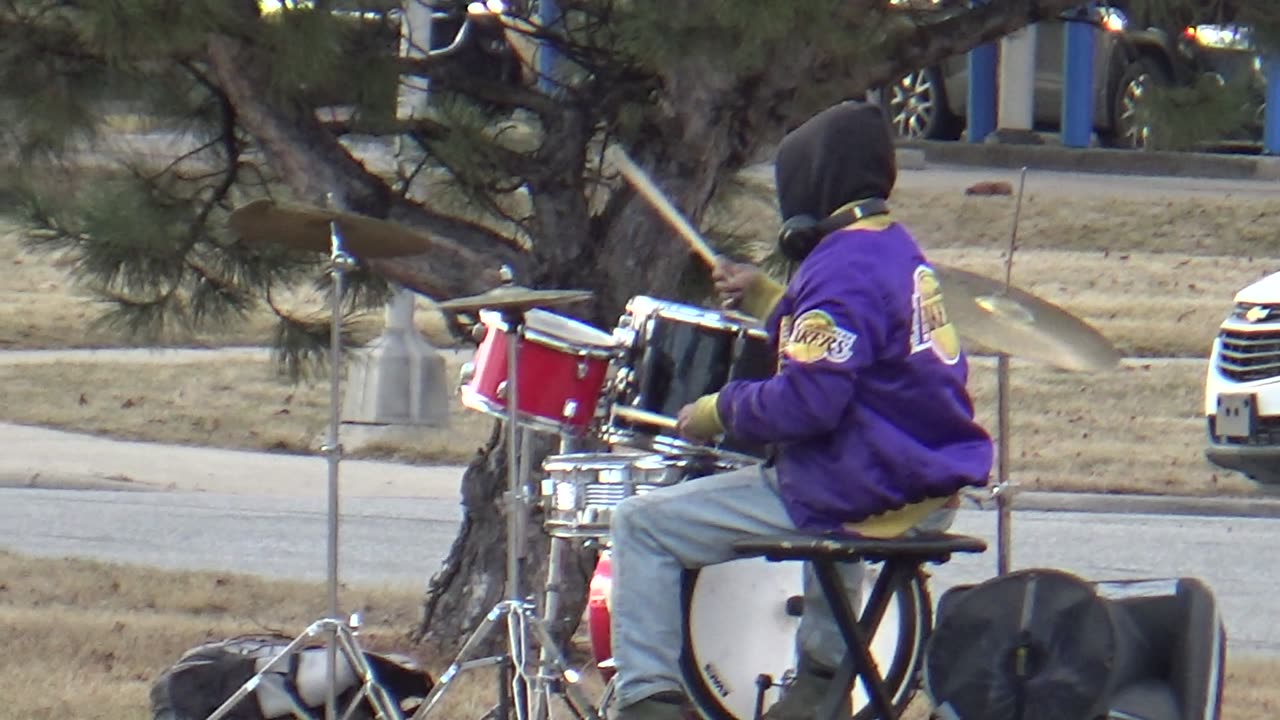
[(1034, 645)]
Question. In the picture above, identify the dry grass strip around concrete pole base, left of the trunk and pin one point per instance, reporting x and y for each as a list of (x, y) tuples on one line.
[(240, 404)]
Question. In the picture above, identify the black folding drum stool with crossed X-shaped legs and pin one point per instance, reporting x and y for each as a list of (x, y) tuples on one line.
[(902, 558)]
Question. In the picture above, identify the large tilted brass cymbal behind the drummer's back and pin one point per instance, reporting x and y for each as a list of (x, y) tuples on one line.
[(1020, 325)]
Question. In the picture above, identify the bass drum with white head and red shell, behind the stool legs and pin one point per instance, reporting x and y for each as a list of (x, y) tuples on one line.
[(740, 623)]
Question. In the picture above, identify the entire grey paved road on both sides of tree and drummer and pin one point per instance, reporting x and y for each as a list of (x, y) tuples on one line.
[(403, 541)]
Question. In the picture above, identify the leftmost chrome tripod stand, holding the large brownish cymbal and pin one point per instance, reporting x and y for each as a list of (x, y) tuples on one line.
[(340, 635)]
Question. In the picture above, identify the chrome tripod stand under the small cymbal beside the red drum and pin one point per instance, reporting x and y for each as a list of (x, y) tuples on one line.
[(520, 613)]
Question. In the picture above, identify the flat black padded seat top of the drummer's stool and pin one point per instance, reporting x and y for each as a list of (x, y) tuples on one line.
[(799, 546)]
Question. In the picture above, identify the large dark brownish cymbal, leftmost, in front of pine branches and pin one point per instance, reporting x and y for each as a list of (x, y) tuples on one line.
[(303, 227)]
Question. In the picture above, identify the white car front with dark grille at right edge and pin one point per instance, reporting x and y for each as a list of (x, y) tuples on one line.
[(1242, 389)]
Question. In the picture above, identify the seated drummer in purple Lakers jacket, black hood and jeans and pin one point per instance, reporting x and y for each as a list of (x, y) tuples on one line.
[(868, 414)]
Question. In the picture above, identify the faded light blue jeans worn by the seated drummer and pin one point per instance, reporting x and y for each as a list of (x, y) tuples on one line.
[(693, 525)]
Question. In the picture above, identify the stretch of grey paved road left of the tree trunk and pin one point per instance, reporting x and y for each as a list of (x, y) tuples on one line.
[(383, 540)]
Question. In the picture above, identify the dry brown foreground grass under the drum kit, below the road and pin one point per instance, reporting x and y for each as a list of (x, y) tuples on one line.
[(88, 640)]
